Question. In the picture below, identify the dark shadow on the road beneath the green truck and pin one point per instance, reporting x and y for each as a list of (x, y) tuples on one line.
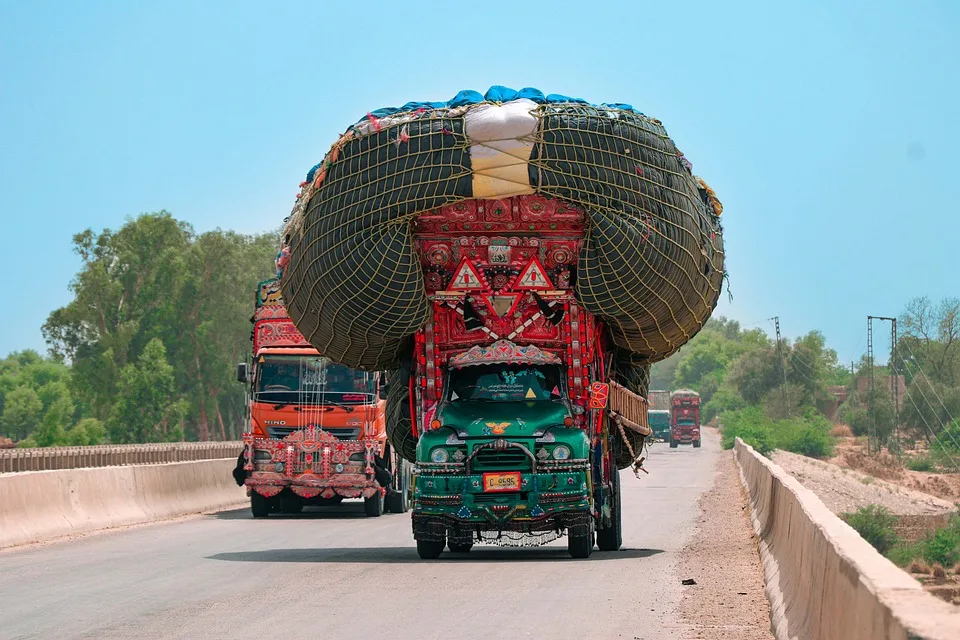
[(401, 555)]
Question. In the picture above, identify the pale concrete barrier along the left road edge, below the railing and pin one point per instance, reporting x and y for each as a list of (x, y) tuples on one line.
[(42, 505)]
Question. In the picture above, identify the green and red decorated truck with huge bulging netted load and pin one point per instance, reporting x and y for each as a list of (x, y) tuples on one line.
[(515, 261)]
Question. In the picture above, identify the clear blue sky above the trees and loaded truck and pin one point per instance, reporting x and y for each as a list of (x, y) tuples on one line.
[(830, 130)]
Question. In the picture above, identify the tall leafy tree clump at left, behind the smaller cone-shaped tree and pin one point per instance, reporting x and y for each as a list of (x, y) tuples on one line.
[(154, 278)]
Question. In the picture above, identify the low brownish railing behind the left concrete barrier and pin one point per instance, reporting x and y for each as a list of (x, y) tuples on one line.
[(45, 458)]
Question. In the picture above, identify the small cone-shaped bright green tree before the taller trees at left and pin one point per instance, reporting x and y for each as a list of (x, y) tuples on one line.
[(148, 407)]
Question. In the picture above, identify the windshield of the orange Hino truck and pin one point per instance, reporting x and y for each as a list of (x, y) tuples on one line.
[(297, 379)]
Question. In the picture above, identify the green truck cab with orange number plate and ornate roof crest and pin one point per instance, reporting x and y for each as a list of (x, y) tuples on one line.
[(502, 452)]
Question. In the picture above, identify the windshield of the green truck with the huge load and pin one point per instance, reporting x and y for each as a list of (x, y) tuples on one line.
[(506, 383)]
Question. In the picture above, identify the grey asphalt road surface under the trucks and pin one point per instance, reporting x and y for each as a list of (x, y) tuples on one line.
[(338, 574)]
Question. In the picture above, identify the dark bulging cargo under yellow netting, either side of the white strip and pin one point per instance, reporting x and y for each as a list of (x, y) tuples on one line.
[(651, 266)]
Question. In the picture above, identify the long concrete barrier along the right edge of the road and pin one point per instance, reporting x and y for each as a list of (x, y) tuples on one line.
[(823, 580)]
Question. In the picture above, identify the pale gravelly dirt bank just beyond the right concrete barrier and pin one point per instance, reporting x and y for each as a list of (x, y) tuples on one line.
[(844, 490)]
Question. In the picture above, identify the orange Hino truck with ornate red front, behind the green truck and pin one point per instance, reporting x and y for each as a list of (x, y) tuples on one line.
[(317, 429)]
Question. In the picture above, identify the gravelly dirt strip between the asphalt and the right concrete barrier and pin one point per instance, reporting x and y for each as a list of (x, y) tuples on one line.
[(727, 602)]
